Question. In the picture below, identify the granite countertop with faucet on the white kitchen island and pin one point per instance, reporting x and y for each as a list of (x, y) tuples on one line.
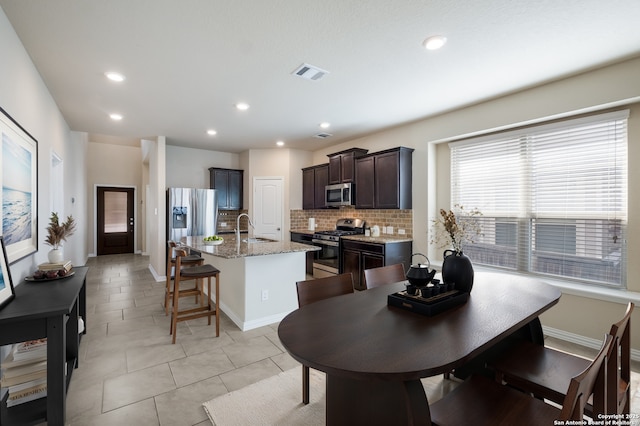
[(231, 249)]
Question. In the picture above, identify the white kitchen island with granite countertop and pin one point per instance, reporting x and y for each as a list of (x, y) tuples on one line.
[(257, 277)]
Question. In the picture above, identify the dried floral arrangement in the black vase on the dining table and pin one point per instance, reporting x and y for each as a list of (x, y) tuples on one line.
[(456, 228)]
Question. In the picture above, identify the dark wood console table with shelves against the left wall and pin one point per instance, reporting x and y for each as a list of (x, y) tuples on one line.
[(46, 309)]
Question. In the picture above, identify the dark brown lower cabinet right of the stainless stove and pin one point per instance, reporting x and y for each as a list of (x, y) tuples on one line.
[(356, 256)]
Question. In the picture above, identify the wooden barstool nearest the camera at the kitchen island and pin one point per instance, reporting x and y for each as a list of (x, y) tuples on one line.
[(197, 273)]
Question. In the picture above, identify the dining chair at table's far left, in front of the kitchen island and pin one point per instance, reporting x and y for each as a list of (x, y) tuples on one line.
[(310, 291)]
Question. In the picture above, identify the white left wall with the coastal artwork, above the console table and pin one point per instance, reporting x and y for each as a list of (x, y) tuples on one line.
[(25, 97)]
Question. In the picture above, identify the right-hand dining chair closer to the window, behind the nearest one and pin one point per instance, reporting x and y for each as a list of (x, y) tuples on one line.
[(544, 371)]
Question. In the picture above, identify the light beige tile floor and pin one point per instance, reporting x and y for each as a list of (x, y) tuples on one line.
[(130, 373)]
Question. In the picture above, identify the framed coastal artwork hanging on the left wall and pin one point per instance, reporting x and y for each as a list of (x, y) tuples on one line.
[(19, 183)]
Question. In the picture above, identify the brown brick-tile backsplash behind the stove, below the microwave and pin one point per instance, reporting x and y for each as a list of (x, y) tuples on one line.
[(326, 218)]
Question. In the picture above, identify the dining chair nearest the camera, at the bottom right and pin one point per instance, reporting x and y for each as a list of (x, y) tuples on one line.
[(482, 401)]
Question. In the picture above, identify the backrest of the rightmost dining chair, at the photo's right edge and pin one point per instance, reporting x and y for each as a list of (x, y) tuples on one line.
[(619, 365)]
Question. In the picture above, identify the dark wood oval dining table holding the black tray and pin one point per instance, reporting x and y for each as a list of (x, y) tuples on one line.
[(374, 355)]
